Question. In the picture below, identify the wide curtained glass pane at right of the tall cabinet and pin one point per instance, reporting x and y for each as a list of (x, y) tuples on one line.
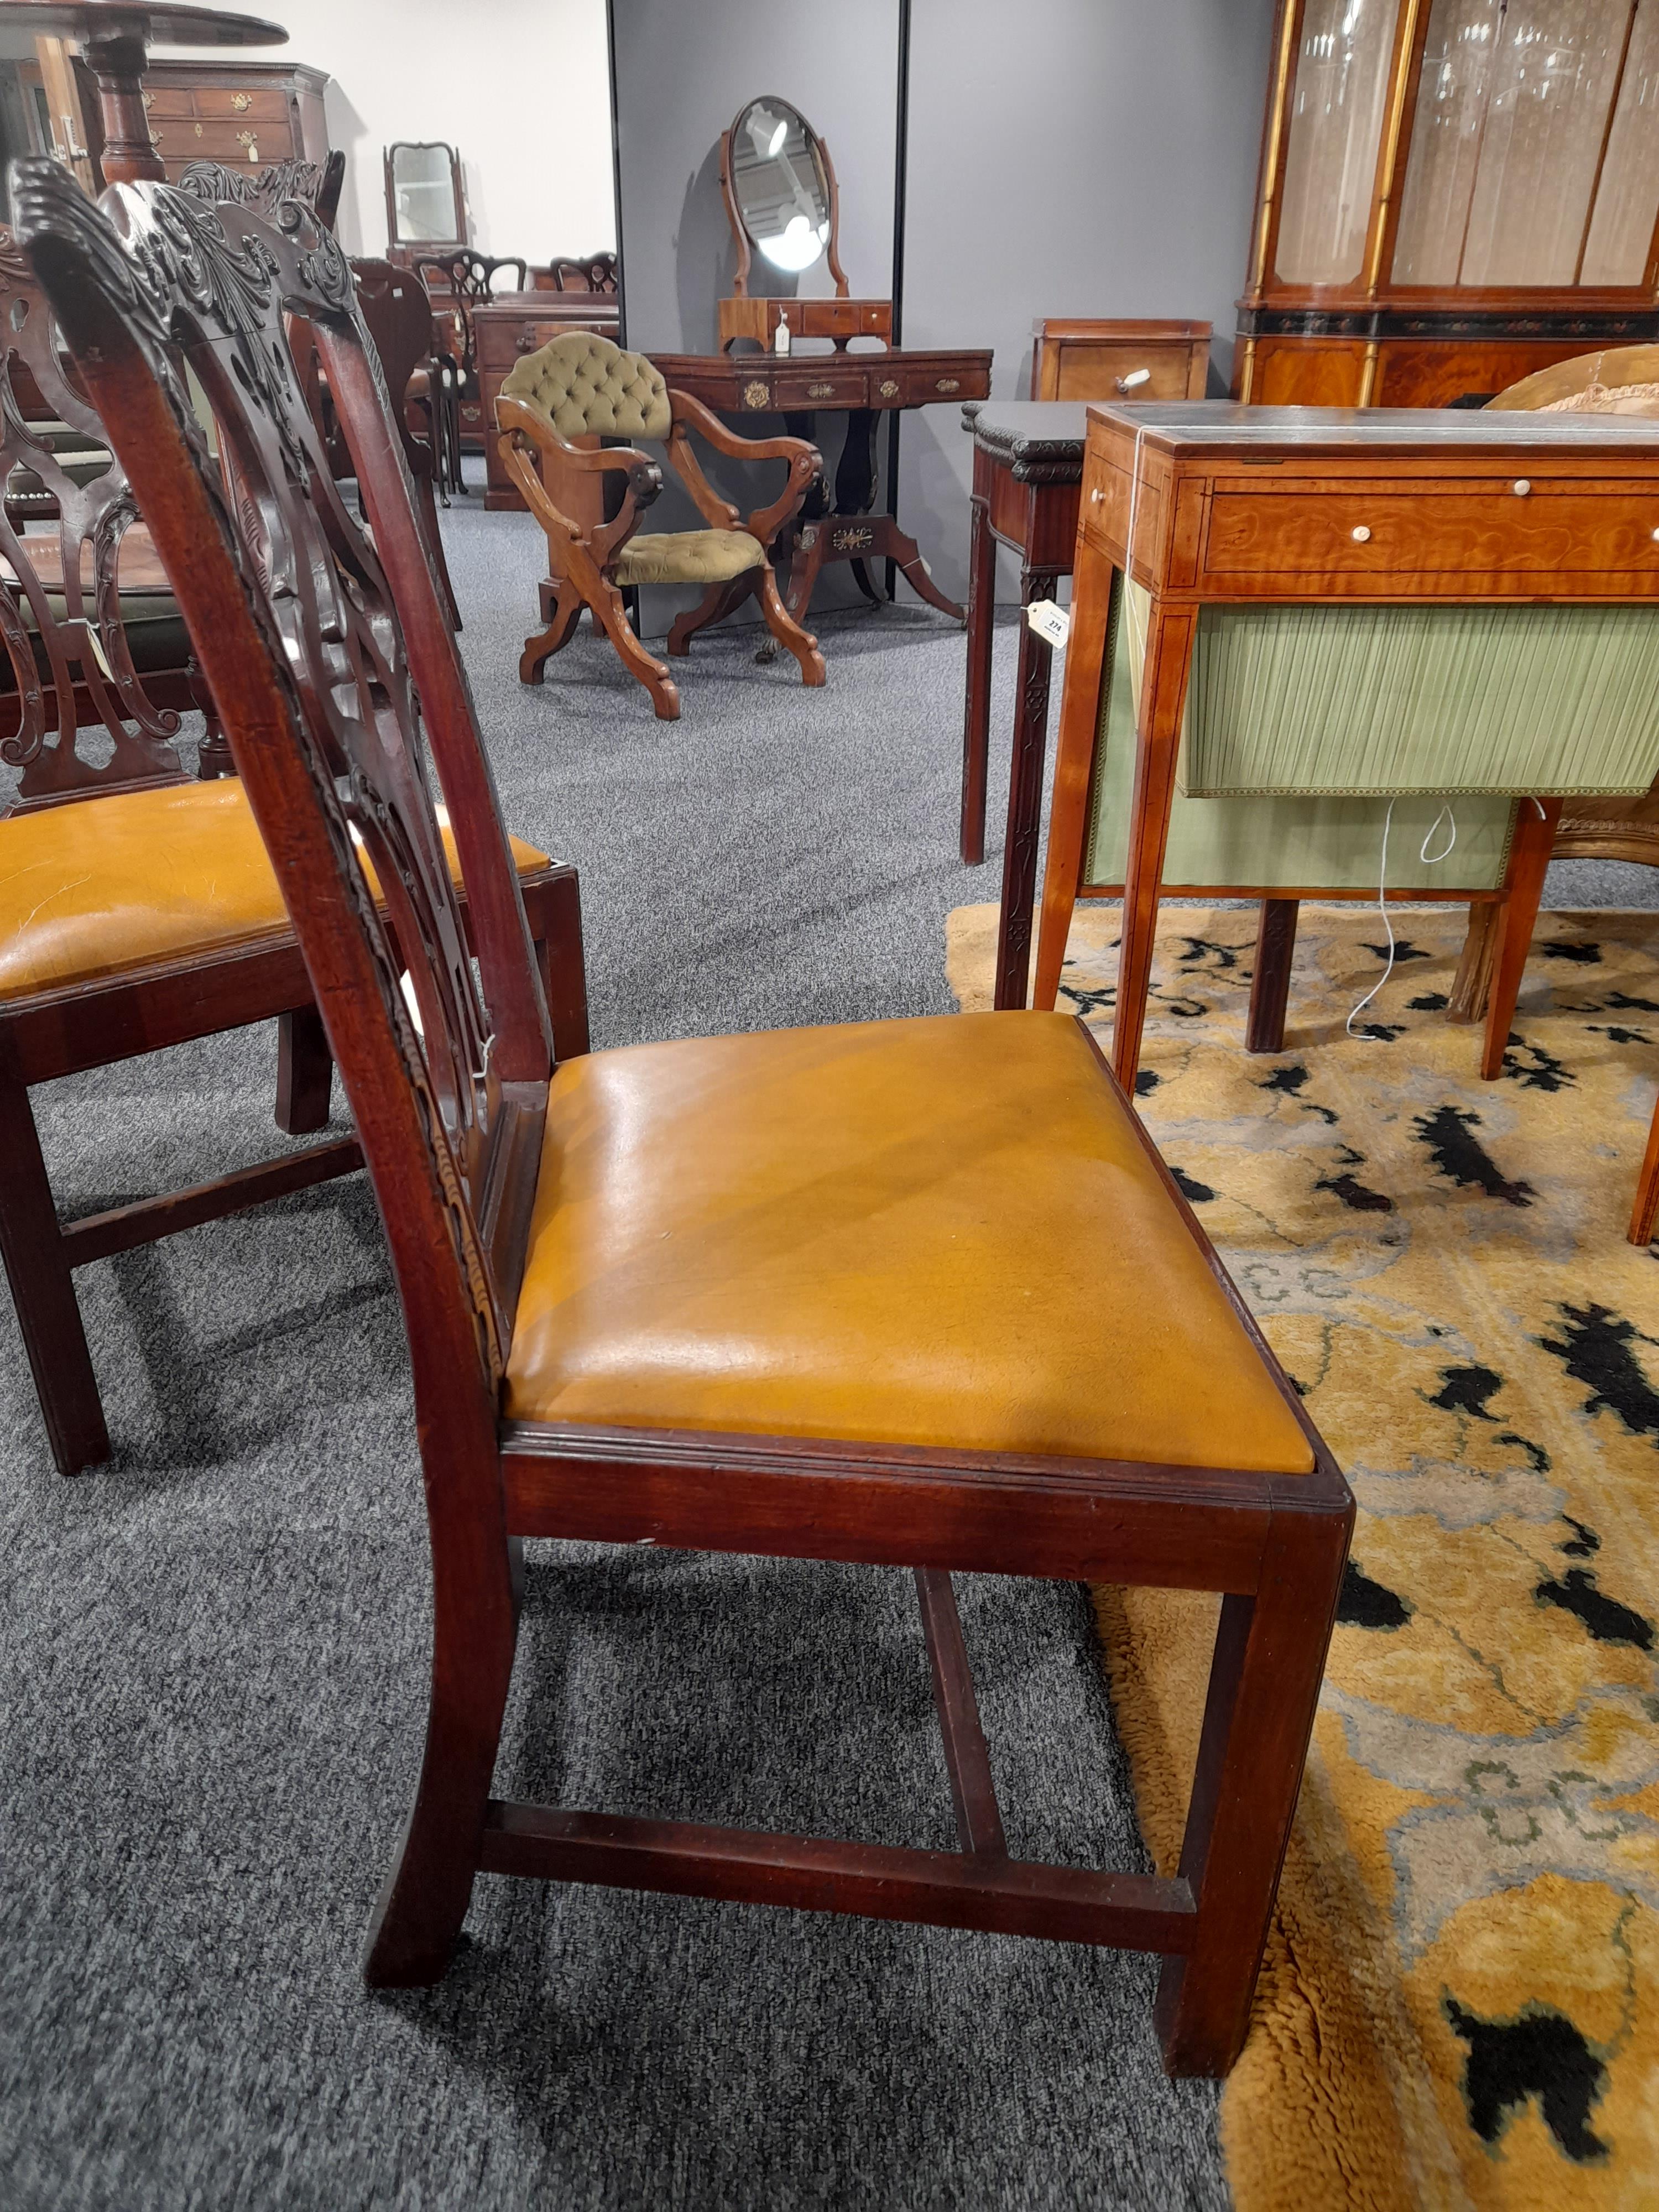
[(1507, 136)]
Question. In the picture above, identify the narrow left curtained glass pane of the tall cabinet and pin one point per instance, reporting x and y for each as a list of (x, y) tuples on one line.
[(1335, 132)]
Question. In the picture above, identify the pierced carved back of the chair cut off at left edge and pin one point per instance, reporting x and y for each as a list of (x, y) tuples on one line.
[(67, 654)]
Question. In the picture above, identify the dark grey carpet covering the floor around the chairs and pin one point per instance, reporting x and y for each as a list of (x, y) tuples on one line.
[(213, 1649)]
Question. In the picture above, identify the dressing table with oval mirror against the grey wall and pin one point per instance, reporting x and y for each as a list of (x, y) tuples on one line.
[(784, 207)]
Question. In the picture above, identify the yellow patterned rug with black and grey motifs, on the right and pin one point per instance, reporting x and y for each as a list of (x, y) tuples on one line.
[(1461, 2001)]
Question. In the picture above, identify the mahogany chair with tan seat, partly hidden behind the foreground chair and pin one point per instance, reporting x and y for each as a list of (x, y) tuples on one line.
[(138, 906)]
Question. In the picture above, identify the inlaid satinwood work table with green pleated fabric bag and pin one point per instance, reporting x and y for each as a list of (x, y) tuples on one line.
[(1496, 572)]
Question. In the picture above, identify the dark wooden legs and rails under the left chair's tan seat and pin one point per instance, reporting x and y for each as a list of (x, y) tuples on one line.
[(143, 1012)]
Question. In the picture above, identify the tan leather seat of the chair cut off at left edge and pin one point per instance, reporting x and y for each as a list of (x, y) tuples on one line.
[(116, 884)]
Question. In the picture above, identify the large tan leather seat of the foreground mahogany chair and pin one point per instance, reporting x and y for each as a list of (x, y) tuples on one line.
[(915, 1233)]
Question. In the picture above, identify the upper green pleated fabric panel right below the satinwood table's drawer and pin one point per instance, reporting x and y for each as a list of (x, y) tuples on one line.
[(1346, 700)]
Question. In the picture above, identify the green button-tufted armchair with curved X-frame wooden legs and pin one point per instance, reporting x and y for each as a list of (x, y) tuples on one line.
[(583, 386)]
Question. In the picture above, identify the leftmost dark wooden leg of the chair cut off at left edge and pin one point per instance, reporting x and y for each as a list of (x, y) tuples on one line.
[(43, 1291)]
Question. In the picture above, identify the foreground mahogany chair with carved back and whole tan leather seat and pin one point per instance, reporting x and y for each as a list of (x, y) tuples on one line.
[(912, 1293)]
